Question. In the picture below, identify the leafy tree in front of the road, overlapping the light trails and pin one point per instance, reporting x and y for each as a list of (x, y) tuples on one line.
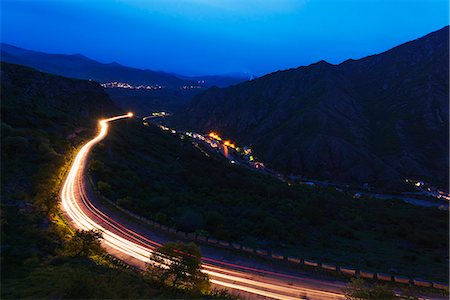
[(178, 265)]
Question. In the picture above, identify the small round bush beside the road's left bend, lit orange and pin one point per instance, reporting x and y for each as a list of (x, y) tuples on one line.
[(84, 243)]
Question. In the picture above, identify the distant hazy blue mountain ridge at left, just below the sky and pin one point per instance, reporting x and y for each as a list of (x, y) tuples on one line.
[(82, 67)]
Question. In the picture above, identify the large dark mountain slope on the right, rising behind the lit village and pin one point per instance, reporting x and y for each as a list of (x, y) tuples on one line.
[(376, 120)]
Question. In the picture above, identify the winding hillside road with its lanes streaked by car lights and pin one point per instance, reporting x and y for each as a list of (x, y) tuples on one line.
[(133, 244)]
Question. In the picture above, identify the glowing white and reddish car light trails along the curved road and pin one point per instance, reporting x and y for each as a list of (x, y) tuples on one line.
[(85, 216)]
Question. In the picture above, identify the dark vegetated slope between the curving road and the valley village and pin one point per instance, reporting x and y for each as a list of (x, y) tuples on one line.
[(168, 180)]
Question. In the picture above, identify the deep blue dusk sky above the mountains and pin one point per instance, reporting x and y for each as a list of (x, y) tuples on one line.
[(195, 37)]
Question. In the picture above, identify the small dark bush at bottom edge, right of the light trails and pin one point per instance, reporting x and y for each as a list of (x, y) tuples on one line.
[(357, 289)]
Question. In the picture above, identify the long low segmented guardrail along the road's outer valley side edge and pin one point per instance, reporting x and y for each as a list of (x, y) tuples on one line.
[(342, 270)]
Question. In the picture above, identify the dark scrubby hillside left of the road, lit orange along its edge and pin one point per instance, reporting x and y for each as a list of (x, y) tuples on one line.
[(44, 118)]
